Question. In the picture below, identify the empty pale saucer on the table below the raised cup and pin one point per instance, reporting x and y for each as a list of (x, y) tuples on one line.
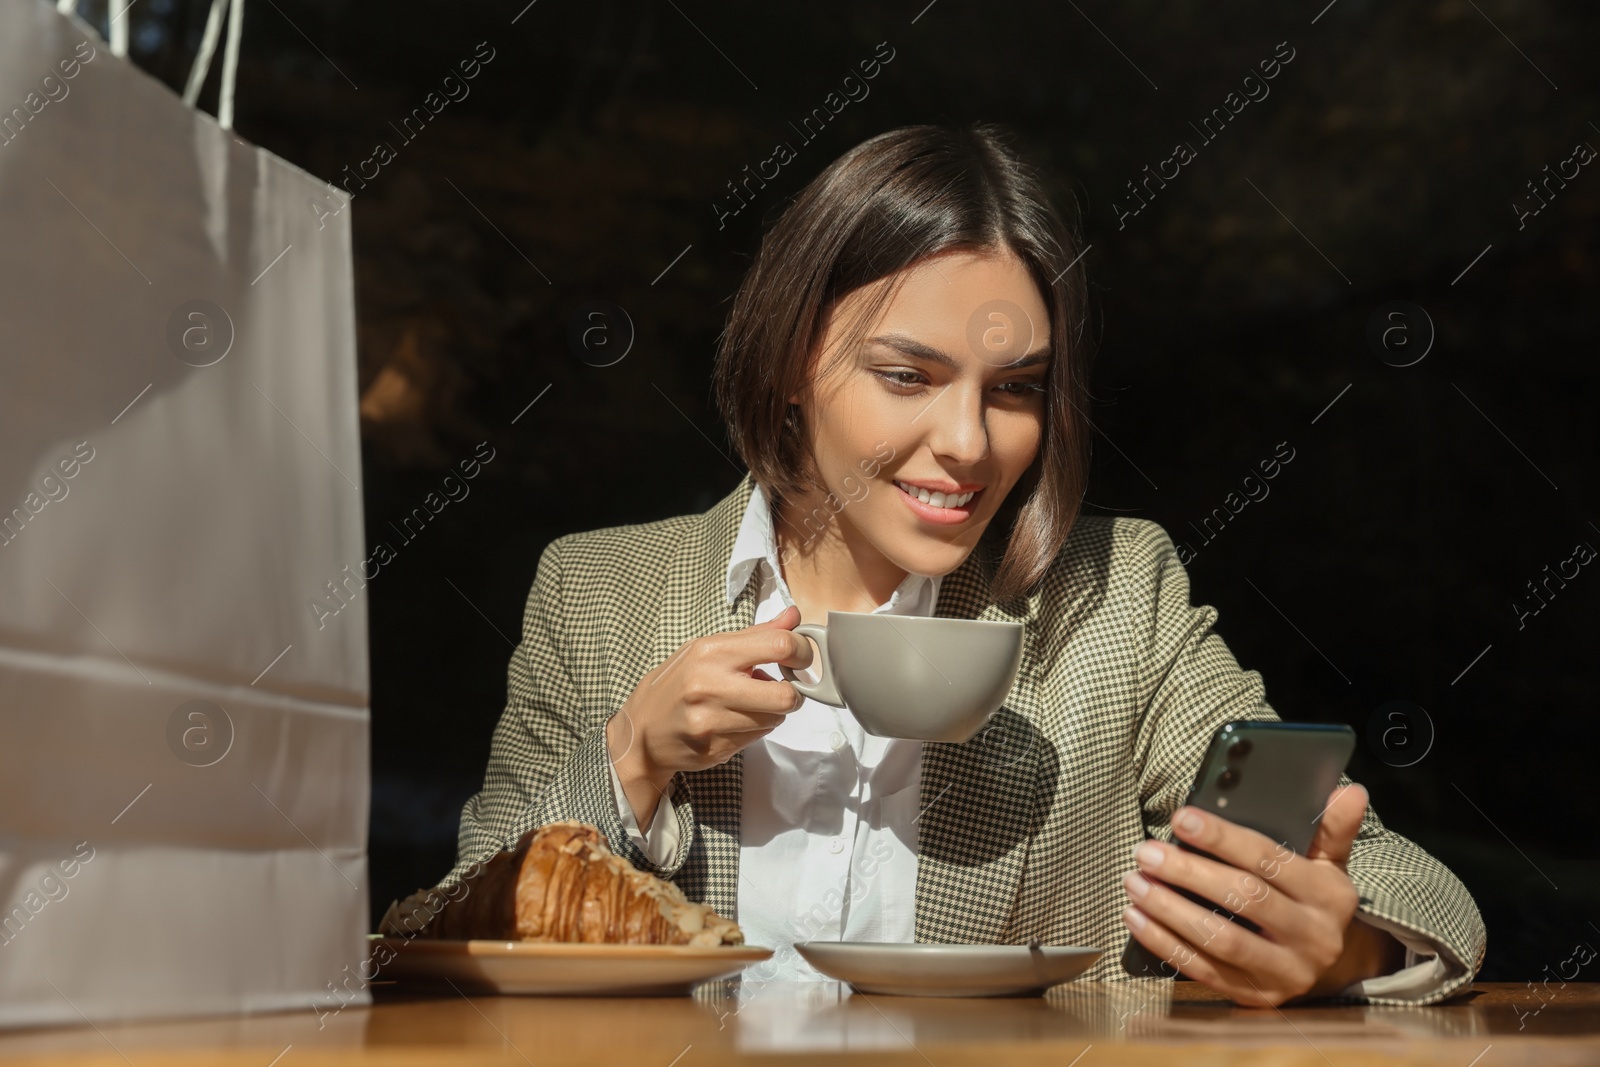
[(924, 970)]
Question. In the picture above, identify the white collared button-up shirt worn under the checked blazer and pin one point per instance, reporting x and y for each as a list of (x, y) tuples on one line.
[(828, 836)]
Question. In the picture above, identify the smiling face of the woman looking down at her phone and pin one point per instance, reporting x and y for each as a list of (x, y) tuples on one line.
[(946, 394)]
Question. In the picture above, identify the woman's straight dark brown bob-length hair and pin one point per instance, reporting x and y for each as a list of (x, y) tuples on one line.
[(879, 209)]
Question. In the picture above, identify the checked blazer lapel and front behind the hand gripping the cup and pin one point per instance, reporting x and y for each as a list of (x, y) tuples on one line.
[(695, 604)]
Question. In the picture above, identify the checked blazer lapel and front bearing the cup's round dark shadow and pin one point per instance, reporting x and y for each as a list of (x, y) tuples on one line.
[(978, 799)]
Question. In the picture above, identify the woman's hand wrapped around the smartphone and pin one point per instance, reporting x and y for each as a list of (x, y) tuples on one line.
[(1311, 943)]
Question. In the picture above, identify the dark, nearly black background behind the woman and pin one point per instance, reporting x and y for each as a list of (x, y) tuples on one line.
[(1233, 313)]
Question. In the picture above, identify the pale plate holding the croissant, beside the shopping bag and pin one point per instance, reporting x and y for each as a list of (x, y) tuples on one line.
[(530, 967)]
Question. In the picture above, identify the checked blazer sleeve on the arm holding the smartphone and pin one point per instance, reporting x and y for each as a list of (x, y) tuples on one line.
[(1190, 684)]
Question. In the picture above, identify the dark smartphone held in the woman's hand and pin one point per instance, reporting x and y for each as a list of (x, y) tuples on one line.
[(1268, 777)]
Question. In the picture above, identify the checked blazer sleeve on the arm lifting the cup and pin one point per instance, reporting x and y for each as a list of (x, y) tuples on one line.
[(548, 757)]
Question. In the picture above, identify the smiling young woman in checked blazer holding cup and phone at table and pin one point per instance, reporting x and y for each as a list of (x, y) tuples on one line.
[(905, 374)]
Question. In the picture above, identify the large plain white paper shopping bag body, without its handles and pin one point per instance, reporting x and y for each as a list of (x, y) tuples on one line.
[(183, 733)]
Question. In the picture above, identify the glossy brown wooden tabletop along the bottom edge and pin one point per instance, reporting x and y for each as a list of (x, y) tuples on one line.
[(1086, 1025)]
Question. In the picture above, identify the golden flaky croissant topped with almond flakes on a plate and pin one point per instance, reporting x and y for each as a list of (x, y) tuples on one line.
[(561, 884)]
